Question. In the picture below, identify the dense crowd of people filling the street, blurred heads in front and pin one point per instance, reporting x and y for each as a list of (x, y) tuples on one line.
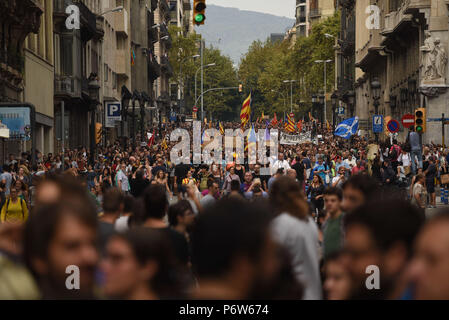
[(306, 225)]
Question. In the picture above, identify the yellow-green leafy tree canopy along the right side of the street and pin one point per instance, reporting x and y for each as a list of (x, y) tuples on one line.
[(266, 65)]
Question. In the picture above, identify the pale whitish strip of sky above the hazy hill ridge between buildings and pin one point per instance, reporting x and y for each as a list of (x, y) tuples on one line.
[(284, 8)]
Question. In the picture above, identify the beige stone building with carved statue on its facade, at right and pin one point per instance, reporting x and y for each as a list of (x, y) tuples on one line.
[(407, 54)]
